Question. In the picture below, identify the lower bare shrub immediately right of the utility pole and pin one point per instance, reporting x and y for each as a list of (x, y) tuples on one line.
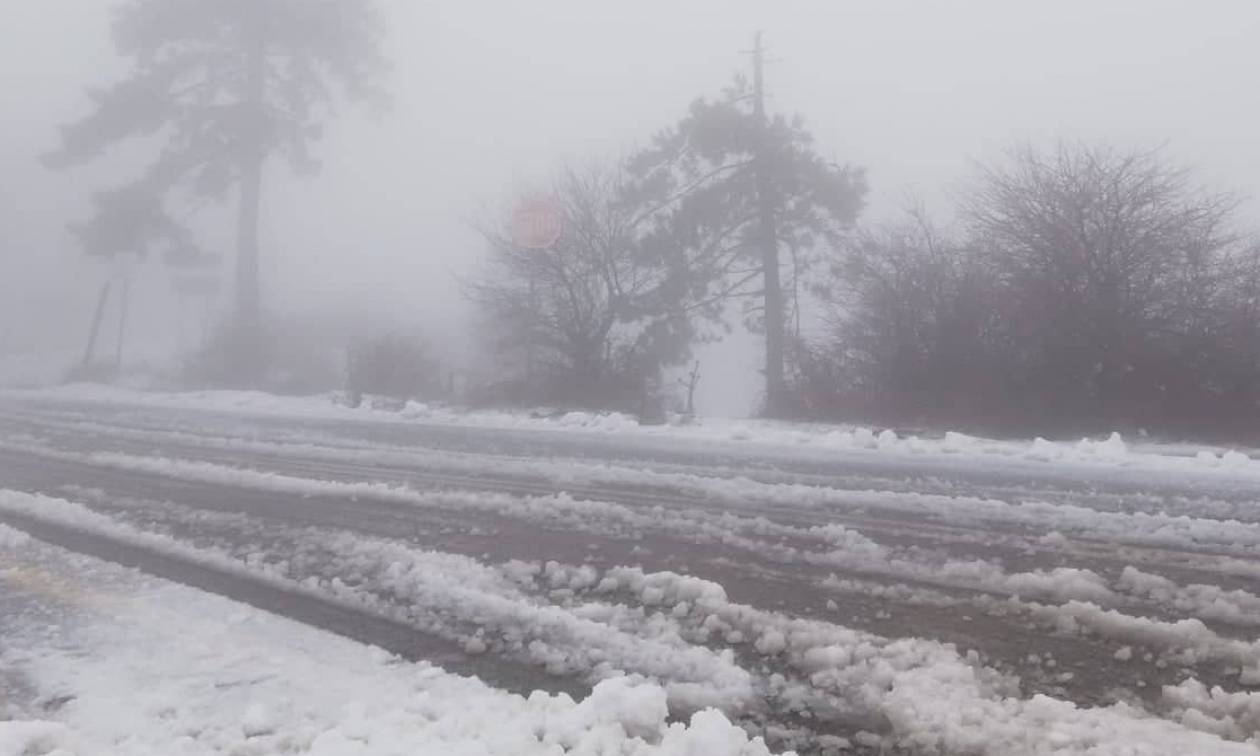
[(909, 314)]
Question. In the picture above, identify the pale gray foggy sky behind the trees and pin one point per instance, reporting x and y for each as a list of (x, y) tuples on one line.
[(492, 95)]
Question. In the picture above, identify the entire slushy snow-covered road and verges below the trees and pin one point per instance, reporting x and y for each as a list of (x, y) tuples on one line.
[(723, 588)]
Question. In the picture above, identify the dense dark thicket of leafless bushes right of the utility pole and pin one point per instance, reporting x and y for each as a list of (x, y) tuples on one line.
[(1085, 289)]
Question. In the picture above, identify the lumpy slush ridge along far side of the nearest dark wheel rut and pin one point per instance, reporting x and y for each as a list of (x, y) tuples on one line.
[(445, 595)]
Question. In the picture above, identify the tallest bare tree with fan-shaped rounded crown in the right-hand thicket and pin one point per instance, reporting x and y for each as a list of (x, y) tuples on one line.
[(1101, 250)]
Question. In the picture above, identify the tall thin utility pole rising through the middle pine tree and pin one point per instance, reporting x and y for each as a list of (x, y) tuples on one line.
[(768, 239)]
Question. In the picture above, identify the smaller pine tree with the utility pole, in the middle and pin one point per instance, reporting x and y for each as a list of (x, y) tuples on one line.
[(730, 188)]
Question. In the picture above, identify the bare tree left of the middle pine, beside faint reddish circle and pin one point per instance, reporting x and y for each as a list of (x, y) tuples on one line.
[(579, 311)]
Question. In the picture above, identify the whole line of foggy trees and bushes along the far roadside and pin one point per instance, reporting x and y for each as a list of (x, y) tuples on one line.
[(1075, 289)]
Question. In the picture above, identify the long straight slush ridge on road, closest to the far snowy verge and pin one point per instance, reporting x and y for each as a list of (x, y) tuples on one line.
[(962, 520)]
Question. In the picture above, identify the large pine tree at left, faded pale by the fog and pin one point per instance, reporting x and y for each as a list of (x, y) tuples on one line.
[(220, 88)]
